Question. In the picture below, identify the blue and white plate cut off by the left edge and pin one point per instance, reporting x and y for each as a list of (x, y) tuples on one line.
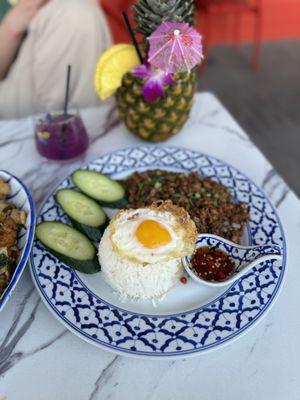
[(21, 198)]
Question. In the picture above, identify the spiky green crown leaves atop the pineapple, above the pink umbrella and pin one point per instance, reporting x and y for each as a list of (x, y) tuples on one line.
[(151, 13)]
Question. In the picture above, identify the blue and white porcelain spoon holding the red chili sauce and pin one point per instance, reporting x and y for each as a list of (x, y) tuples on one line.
[(244, 257)]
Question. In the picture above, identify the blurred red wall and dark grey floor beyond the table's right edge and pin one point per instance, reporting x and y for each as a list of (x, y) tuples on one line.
[(253, 66)]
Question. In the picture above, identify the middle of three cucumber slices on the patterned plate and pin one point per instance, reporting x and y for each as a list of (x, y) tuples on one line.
[(85, 213)]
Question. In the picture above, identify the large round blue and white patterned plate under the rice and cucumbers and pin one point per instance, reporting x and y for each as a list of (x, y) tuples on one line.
[(191, 319)]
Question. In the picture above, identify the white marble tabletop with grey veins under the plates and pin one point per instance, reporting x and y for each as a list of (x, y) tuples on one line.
[(41, 360)]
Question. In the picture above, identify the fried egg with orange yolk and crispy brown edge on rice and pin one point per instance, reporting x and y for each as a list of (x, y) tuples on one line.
[(153, 234)]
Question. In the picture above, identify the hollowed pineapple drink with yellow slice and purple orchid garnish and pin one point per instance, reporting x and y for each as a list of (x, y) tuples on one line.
[(157, 116)]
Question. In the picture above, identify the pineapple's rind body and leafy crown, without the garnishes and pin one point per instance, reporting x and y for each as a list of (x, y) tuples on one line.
[(158, 120)]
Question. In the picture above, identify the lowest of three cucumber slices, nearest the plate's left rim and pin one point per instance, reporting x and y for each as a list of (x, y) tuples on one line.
[(69, 246)]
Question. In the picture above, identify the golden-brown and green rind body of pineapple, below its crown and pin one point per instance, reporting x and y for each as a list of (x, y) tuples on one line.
[(158, 120)]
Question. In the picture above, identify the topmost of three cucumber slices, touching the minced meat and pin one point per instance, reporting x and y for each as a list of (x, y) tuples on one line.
[(107, 192)]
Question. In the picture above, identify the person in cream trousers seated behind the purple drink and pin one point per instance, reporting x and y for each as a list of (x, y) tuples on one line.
[(38, 39)]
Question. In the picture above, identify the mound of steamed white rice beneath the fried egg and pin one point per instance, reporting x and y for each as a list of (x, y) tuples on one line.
[(137, 281)]
